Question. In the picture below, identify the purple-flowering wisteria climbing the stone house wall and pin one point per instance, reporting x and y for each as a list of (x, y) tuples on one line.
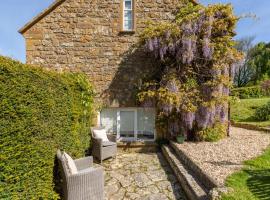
[(191, 86)]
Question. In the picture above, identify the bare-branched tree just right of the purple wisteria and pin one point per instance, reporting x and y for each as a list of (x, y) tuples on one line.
[(242, 71)]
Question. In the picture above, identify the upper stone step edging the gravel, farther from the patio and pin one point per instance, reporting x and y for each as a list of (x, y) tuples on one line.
[(207, 181)]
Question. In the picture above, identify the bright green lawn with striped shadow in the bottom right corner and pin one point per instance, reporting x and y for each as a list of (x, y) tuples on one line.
[(252, 182)]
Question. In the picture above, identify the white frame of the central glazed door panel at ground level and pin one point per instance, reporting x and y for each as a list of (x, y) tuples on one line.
[(135, 124)]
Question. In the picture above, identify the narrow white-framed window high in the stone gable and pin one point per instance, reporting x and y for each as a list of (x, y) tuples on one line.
[(128, 22)]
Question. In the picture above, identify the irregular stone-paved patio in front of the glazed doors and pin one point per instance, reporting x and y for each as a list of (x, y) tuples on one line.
[(140, 176)]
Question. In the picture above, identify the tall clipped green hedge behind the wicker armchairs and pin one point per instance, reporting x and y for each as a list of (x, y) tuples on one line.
[(40, 111)]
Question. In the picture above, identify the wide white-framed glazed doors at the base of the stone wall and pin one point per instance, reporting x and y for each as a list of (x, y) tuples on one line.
[(129, 124)]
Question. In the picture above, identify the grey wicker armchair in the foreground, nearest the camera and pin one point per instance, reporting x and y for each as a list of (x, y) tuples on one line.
[(87, 184)]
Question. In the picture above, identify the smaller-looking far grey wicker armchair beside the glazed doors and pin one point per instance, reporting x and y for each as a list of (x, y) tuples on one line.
[(103, 150)]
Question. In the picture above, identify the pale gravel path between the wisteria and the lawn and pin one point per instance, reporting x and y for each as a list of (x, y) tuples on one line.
[(222, 158)]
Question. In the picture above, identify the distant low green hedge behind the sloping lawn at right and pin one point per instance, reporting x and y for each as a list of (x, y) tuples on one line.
[(248, 92)]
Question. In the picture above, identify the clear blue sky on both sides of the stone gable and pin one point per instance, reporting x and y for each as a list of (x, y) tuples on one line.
[(15, 13)]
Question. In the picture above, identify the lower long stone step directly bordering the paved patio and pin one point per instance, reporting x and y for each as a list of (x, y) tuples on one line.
[(192, 187)]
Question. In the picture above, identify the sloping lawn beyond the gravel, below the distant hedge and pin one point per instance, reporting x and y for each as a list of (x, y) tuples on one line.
[(243, 111)]
